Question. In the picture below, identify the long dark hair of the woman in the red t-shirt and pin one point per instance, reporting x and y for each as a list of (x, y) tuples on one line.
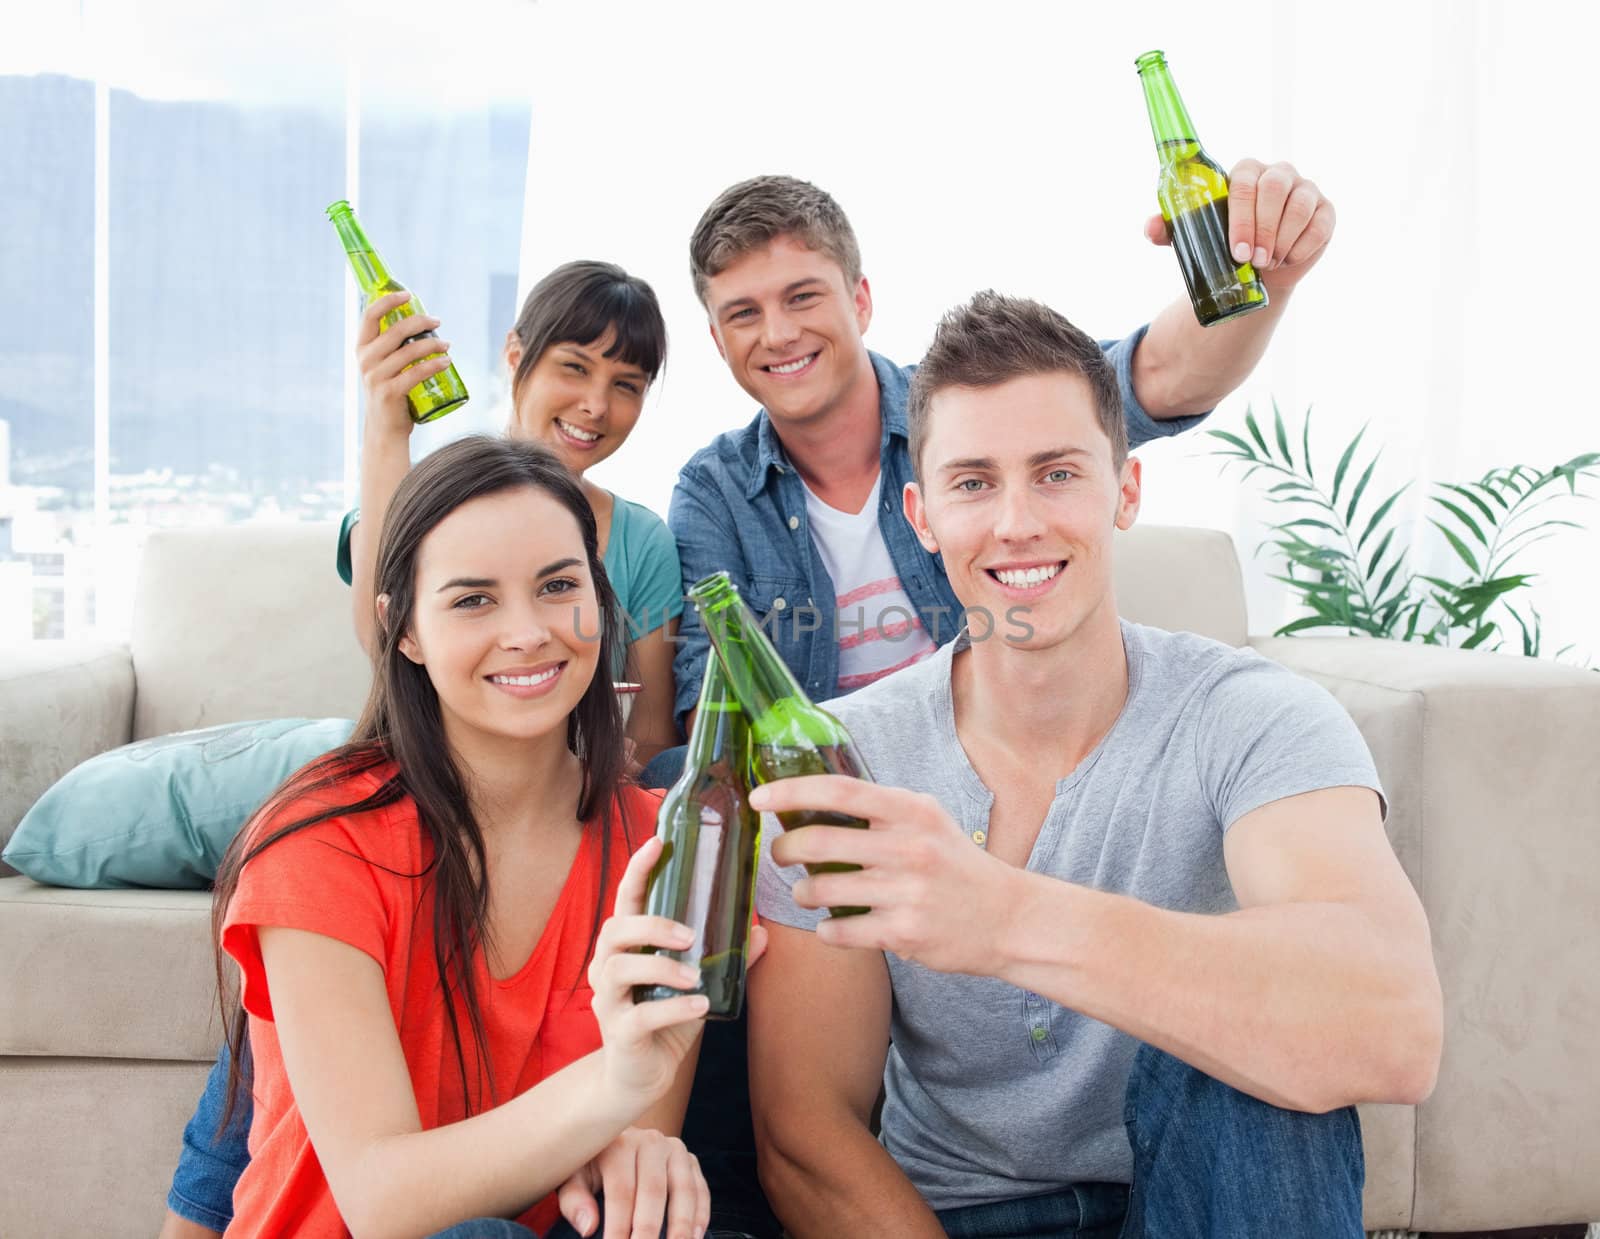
[(402, 724)]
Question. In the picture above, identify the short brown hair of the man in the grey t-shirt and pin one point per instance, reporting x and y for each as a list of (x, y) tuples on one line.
[(996, 339)]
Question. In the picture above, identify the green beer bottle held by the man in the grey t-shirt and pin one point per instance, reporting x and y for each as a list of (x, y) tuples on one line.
[(790, 736)]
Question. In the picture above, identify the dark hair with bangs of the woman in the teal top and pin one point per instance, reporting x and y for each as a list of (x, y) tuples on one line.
[(580, 303)]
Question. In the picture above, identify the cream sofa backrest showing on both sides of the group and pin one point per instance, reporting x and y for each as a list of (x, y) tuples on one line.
[(252, 622)]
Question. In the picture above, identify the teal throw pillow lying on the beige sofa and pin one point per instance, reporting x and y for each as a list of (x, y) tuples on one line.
[(161, 812)]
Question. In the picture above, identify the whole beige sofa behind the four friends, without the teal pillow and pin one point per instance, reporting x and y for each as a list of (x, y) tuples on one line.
[(106, 998)]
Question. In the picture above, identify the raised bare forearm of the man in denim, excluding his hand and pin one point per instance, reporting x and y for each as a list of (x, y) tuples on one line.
[(1183, 369)]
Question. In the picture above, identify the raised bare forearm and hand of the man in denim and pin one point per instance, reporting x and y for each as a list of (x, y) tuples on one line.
[(1281, 223)]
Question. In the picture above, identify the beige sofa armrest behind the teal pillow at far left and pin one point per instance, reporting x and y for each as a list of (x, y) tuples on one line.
[(60, 705)]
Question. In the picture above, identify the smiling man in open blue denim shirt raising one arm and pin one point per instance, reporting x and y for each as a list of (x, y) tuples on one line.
[(782, 503)]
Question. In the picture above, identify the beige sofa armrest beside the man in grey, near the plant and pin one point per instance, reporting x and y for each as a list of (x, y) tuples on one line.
[(1494, 788)]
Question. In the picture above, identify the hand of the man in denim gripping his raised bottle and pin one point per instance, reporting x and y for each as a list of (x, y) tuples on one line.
[(1281, 223)]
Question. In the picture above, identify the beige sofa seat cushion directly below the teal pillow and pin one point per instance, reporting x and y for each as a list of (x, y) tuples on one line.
[(106, 974)]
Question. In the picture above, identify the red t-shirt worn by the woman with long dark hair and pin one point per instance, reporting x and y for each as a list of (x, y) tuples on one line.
[(335, 880)]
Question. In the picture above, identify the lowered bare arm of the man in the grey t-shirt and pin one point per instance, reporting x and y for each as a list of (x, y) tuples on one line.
[(820, 1035)]
